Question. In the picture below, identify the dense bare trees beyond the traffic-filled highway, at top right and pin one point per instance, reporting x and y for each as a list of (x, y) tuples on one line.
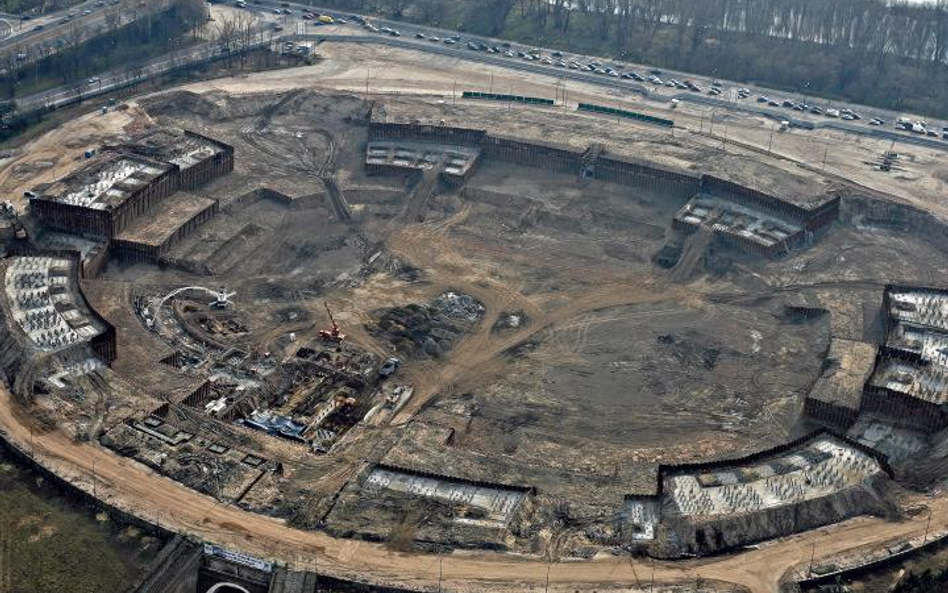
[(886, 53)]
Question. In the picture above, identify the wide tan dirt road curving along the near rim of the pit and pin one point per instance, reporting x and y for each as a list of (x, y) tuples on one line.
[(138, 490)]
